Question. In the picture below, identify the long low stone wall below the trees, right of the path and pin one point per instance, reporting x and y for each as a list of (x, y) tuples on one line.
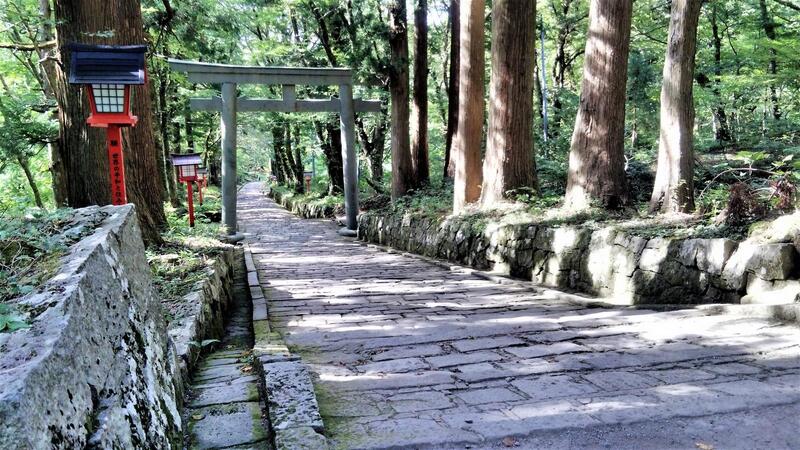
[(606, 262)]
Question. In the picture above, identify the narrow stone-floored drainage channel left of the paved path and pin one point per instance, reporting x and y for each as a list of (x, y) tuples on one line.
[(224, 407)]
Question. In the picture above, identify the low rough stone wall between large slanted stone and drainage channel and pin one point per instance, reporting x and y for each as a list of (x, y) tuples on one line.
[(209, 302)]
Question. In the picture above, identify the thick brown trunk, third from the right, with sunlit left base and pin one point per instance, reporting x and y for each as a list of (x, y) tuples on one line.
[(510, 161)]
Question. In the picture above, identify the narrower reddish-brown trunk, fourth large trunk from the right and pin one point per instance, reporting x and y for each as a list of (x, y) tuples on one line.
[(466, 152)]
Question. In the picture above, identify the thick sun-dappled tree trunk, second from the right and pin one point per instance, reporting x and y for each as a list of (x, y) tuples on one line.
[(597, 158)]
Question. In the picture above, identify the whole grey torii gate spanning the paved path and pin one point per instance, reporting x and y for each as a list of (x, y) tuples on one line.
[(288, 77)]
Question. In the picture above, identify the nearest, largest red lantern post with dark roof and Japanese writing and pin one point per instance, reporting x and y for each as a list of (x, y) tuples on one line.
[(108, 72)]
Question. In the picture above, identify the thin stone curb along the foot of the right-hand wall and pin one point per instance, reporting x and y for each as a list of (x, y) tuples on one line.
[(784, 312)]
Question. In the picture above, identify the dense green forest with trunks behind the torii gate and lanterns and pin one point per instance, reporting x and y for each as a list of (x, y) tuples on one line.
[(743, 85)]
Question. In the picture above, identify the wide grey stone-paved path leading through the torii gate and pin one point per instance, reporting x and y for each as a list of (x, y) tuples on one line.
[(409, 354)]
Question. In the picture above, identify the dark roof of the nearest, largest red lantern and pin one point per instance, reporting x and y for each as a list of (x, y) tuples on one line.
[(112, 64)]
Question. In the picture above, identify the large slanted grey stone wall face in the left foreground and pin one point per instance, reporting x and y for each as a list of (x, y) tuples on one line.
[(95, 369)]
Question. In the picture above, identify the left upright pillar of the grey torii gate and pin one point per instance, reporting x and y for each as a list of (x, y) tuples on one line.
[(229, 178)]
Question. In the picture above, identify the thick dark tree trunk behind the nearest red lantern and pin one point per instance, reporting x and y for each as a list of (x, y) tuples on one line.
[(83, 151)]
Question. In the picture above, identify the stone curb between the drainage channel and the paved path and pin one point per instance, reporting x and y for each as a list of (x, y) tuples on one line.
[(287, 388)]
